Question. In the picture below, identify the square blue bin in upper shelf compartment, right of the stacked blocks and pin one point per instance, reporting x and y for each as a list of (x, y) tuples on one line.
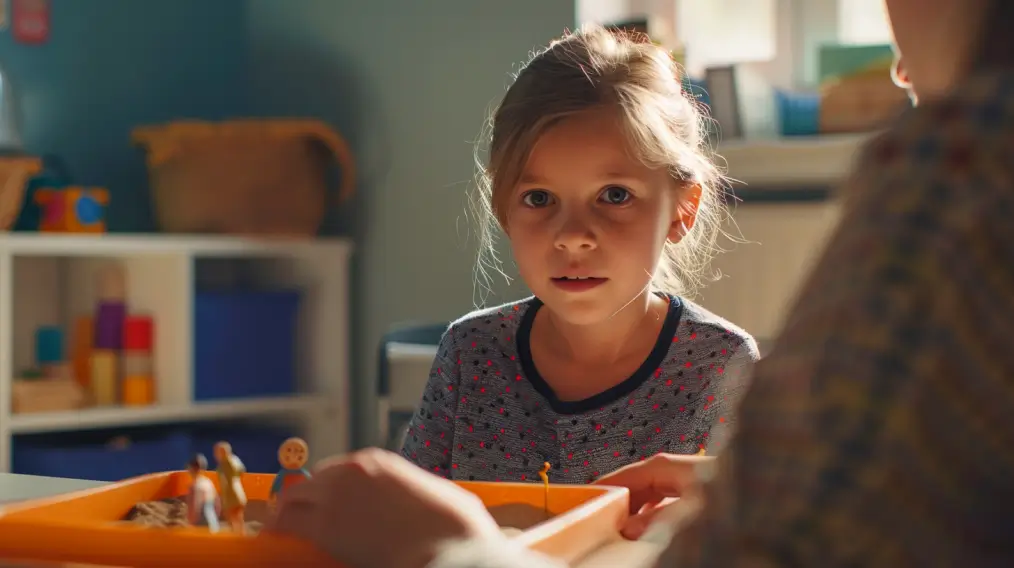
[(245, 344)]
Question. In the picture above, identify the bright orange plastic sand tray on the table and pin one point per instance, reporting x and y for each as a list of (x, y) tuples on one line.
[(87, 528)]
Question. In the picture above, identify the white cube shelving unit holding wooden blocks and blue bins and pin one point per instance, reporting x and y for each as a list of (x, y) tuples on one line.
[(50, 280)]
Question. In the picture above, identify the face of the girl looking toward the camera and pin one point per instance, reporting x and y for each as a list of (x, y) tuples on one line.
[(589, 221)]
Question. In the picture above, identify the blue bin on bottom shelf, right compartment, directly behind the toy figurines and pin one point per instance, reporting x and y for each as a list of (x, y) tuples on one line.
[(257, 448)]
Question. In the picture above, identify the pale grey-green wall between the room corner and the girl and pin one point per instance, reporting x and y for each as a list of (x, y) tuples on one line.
[(410, 85)]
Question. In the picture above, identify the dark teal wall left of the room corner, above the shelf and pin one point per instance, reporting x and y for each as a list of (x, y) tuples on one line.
[(113, 64)]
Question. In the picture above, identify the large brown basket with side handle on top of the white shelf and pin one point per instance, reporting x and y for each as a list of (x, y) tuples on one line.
[(254, 178)]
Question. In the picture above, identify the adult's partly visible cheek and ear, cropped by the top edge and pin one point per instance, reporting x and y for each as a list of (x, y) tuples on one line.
[(935, 40)]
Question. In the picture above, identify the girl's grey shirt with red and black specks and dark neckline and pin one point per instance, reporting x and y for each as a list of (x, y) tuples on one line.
[(487, 414)]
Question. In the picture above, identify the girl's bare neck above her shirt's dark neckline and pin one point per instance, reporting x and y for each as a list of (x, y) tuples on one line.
[(609, 341)]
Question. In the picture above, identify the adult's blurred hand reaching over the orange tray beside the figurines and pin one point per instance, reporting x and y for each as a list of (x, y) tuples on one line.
[(375, 510)]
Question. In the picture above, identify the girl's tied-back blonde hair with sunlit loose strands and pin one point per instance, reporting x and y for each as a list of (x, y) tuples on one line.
[(591, 69)]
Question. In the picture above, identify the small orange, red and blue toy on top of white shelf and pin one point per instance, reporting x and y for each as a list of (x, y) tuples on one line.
[(74, 209)]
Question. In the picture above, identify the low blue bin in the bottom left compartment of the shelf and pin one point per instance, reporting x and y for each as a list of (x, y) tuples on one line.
[(97, 457)]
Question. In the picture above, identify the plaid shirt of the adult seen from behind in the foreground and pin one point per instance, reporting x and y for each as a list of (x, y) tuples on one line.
[(880, 433)]
